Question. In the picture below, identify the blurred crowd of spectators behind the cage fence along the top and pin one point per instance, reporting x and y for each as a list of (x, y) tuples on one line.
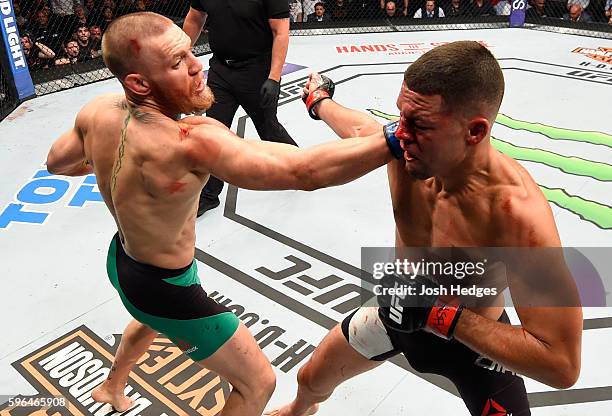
[(60, 32)]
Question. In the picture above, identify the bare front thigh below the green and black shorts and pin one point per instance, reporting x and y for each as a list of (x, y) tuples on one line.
[(240, 361)]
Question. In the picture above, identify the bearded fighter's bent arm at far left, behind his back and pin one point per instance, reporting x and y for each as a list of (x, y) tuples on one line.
[(67, 154)]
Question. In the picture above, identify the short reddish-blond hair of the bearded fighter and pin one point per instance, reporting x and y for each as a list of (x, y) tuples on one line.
[(117, 43)]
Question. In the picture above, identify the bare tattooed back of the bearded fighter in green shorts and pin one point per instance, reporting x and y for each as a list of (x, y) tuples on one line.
[(146, 180)]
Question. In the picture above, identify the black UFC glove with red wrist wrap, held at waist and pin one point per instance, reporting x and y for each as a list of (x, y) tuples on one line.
[(411, 311)]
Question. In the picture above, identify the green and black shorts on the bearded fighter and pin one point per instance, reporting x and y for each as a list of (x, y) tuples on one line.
[(171, 302)]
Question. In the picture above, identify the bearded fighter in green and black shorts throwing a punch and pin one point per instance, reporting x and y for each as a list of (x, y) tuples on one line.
[(150, 170)]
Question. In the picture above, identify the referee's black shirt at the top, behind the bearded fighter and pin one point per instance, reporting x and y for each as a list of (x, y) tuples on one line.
[(239, 29)]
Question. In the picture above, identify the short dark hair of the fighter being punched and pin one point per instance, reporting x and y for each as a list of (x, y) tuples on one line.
[(464, 73)]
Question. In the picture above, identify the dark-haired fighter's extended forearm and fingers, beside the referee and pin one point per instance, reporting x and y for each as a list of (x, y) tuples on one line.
[(344, 121)]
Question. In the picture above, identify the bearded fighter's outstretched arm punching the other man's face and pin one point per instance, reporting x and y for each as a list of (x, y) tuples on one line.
[(274, 166)]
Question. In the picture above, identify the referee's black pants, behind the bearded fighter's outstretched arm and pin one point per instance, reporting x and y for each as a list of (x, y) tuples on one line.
[(238, 84)]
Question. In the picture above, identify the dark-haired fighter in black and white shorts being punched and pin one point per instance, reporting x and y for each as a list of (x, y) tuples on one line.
[(451, 189)]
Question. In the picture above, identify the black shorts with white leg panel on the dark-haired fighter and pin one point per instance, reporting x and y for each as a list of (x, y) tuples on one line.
[(484, 385)]
